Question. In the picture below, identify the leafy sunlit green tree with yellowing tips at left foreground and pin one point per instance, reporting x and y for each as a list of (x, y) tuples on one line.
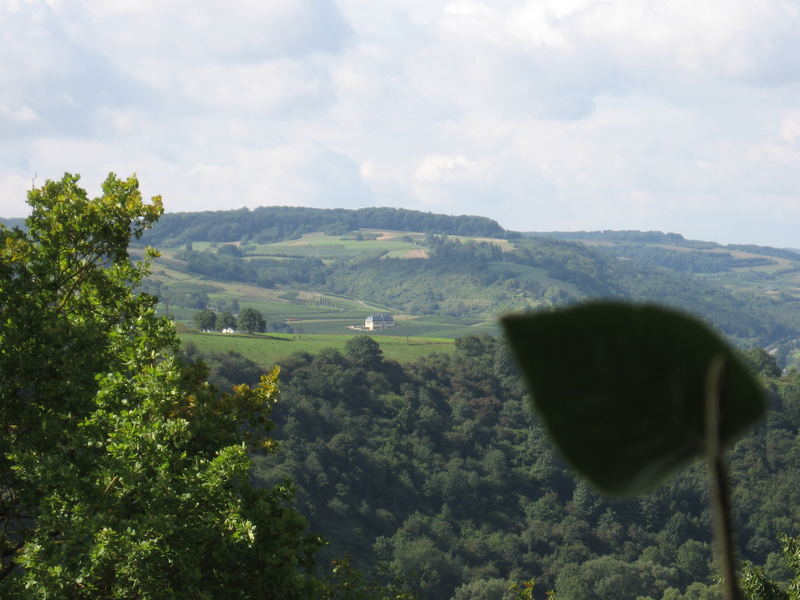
[(123, 474)]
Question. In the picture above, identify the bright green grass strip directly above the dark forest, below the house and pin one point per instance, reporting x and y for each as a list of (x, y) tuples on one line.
[(268, 349)]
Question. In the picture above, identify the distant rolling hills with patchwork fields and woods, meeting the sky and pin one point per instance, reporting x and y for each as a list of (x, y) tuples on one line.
[(442, 276)]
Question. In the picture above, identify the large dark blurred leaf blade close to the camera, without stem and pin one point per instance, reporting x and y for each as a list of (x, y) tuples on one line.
[(622, 388)]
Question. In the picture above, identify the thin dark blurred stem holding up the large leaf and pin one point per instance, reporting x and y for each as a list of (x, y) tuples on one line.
[(720, 494)]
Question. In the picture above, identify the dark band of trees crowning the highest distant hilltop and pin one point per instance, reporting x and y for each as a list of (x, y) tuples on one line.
[(273, 223)]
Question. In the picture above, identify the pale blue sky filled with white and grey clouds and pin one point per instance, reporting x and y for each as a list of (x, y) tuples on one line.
[(670, 115)]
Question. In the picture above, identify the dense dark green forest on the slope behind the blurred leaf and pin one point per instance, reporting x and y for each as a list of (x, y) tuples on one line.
[(437, 473)]
